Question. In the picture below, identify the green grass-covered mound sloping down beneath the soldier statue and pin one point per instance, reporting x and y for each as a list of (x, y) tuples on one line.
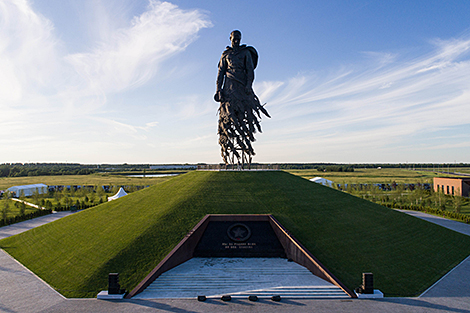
[(133, 234)]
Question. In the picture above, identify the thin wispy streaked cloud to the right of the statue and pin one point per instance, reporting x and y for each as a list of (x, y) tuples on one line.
[(380, 104)]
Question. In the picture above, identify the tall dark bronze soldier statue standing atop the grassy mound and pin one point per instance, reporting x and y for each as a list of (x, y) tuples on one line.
[(239, 111)]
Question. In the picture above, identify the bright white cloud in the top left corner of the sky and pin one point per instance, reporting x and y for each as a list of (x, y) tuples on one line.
[(28, 52)]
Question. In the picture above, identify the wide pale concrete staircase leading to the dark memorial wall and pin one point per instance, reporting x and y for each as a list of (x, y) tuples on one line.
[(240, 277)]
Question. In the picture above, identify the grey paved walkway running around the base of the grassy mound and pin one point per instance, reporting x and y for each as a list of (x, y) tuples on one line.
[(22, 291)]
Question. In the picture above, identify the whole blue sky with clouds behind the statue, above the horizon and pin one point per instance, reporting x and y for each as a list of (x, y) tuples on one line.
[(132, 81)]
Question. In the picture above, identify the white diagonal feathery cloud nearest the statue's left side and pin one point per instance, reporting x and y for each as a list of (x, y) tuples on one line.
[(131, 55)]
